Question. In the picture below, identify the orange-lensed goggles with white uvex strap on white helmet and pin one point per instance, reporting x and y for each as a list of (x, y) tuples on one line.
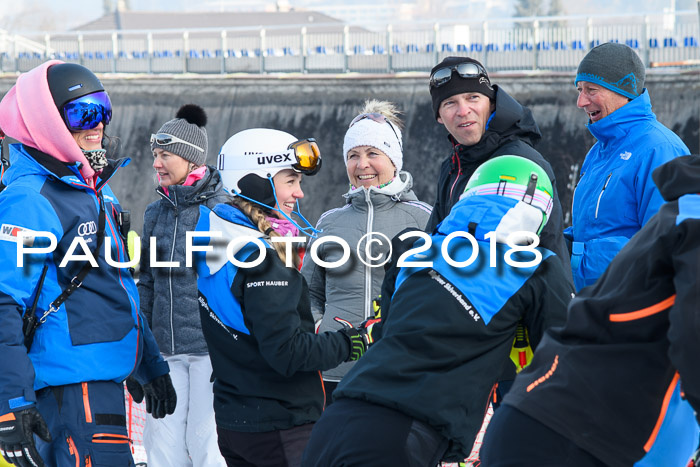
[(302, 156)]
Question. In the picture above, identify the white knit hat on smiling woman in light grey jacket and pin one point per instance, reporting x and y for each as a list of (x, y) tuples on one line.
[(381, 135)]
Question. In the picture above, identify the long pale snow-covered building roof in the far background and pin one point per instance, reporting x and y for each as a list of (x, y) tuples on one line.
[(140, 20)]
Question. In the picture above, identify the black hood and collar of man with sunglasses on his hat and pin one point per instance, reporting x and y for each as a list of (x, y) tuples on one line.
[(509, 120)]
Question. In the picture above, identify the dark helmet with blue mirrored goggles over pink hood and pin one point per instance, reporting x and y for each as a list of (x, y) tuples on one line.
[(79, 96)]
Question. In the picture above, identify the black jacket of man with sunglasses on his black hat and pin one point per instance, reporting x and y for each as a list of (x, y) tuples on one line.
[(512, 131)]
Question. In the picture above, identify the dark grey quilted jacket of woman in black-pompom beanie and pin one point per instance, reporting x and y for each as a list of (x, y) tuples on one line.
[(169, 294)]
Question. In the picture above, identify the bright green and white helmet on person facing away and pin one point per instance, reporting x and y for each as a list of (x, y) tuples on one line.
[(520, 179)]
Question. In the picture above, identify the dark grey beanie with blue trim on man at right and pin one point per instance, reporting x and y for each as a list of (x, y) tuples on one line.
[(613, 66)]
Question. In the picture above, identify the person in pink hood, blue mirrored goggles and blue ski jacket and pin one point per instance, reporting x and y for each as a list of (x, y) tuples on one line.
[(61, 392)]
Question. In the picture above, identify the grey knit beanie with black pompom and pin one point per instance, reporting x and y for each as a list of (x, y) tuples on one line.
[(188, 125)]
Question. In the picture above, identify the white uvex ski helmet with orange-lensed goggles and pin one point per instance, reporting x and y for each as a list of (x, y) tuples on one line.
[(250, 159)]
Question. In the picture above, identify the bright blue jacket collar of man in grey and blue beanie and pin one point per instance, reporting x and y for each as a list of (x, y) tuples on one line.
[(620, 122)]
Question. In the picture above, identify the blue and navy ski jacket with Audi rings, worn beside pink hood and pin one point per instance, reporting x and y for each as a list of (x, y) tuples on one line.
[(97, 334)]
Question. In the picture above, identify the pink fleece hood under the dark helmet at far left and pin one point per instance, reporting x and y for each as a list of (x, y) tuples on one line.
[(29, 115)]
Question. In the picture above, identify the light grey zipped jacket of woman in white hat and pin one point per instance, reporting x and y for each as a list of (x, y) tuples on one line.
[(347, 291)]
